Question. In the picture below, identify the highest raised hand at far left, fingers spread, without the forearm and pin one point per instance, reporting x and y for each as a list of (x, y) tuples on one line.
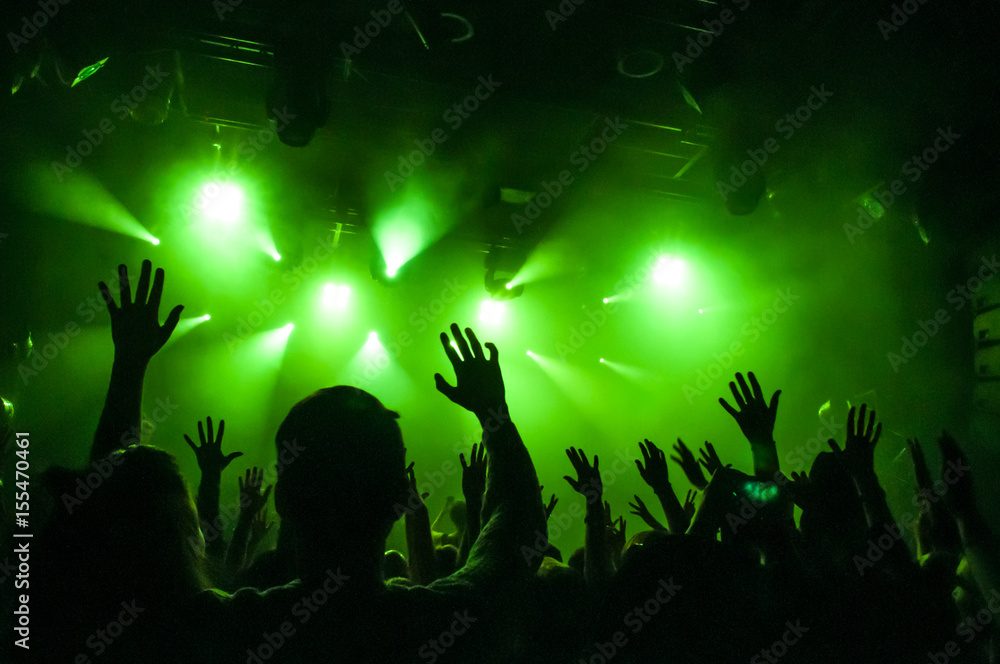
[(135, 324)]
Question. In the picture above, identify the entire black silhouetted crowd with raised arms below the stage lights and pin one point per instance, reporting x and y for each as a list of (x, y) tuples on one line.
[(139, 571)]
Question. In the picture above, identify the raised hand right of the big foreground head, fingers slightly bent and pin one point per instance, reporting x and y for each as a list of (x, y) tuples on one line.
[(479, 383)]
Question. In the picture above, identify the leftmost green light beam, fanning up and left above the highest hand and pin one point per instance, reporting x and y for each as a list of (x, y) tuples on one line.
[(79, 198)]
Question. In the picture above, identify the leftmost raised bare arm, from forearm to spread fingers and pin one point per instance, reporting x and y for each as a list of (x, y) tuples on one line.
[(137, 335)]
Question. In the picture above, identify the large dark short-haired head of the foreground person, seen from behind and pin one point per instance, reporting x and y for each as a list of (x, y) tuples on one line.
[(342, 466)]
